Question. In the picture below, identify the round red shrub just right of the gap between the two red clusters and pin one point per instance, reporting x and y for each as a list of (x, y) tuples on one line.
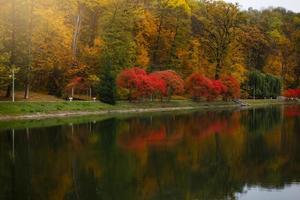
[(199, 86)]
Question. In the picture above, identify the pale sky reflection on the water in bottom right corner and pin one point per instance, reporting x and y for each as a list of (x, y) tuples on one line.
[(290, 192)]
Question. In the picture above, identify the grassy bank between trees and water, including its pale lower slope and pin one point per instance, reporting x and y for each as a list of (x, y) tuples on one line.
[(10, 110)]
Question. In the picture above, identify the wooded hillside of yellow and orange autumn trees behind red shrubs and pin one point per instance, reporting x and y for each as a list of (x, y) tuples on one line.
[(52, 45)]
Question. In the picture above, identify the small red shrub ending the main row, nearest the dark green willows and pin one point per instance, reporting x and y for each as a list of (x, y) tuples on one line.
[(233, 88)]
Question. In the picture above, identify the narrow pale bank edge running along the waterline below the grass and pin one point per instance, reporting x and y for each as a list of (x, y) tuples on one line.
[(207, 106)]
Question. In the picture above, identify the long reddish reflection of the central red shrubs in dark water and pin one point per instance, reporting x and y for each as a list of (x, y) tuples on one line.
[(141, 135)]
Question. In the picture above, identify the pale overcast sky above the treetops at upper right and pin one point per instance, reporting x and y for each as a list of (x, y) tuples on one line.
[(293, 5)]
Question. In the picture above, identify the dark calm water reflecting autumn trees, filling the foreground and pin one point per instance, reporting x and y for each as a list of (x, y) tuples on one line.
[(250, 154)]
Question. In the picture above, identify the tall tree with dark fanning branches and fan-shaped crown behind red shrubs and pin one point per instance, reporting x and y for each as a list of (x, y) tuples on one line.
[(219, 20)]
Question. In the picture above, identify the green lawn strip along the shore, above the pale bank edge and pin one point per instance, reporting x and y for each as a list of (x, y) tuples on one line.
[(22, 108)]
